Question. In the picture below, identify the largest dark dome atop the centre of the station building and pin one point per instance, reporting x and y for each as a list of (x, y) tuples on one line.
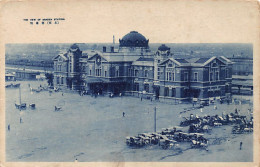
[(133, 39)]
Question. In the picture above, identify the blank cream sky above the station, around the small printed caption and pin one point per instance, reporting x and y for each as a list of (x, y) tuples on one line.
[(159, 21)]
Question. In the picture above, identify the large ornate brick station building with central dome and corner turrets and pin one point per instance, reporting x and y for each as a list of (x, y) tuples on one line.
[(134, 70)]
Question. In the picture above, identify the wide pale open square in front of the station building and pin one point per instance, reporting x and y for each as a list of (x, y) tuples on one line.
[(93, 129)]
